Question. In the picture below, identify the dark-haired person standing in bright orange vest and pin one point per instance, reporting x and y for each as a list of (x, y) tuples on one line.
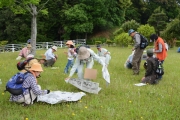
[(159, 49)]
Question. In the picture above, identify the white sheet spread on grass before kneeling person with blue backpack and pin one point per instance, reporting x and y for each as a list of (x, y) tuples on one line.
[(55, 97)]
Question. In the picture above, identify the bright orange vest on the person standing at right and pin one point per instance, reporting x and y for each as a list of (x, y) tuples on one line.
[(160, 55)]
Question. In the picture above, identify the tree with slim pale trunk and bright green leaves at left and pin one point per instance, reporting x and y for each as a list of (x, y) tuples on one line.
[(23, 6)]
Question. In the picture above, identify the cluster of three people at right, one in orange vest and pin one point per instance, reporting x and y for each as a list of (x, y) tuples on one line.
[(159, 50)]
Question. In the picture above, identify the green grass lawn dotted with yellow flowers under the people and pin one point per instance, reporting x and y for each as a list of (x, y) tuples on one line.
[(121, 100)]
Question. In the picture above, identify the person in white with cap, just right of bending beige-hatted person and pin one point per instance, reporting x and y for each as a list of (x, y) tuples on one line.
[(104, 54)]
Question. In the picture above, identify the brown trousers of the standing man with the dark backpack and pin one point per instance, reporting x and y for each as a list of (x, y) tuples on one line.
[(137, 60)]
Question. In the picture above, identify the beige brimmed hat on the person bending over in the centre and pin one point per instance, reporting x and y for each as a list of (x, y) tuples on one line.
[(83, 53)]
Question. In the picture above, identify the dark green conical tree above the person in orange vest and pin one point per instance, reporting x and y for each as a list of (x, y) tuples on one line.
[(158, 20)]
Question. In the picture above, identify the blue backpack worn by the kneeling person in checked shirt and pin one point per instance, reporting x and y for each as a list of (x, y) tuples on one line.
[(14, 85)]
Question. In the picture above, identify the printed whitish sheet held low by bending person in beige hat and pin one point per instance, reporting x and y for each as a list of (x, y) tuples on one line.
[(85, 85)]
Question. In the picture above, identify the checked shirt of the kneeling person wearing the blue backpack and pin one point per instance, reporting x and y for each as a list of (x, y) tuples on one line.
[(29, 82)]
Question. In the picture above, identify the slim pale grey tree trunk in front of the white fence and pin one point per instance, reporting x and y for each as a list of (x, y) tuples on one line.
[(33, 29)]
